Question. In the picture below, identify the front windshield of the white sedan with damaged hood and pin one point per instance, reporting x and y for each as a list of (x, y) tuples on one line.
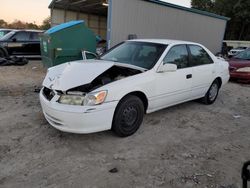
[(141, 54)]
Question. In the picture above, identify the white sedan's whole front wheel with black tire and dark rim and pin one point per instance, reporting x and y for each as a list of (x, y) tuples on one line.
[(128, 116)]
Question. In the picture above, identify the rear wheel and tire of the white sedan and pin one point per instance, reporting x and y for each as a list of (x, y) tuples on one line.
[(212, 93)]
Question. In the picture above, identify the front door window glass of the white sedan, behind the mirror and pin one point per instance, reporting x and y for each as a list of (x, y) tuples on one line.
[(177, 55)]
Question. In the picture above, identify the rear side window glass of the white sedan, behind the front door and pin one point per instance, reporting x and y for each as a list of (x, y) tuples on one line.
[(199, 56)]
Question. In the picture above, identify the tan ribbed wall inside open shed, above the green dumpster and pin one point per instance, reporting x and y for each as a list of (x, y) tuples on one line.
[(97, 23)]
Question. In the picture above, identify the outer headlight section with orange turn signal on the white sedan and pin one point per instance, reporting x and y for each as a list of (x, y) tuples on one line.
[(92, 99)]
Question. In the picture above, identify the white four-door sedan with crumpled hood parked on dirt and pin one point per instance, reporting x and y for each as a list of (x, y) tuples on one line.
[(134, 78)]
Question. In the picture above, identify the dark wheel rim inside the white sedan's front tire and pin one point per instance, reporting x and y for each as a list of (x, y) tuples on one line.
[(129, 116)]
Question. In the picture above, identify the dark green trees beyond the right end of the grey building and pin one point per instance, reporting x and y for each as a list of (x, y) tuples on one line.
[(238, 27)]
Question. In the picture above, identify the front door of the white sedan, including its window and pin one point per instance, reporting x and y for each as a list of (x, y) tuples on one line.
[(174, 87)]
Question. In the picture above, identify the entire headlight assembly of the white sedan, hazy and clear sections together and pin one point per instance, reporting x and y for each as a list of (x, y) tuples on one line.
[(90, 99)]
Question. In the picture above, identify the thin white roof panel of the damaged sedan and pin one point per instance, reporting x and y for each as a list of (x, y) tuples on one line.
[(164, 41)]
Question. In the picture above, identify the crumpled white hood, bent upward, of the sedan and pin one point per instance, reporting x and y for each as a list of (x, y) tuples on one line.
[(73, 74)]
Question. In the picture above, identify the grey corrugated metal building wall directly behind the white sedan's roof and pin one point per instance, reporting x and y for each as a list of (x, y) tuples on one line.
[(150, 20)]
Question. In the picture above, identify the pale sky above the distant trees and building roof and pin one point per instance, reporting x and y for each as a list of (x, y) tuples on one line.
[(36, 11)]
